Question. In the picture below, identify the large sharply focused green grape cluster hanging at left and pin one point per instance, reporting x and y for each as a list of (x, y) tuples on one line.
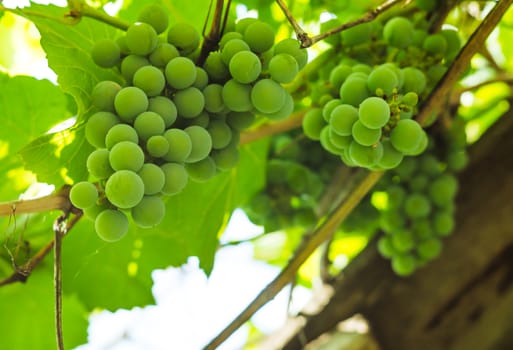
[(174, 120)]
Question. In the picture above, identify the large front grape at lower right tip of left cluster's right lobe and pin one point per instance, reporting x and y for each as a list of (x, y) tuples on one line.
[(267, 96)]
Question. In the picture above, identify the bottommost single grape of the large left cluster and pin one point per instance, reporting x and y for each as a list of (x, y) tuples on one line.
[(111, 225)]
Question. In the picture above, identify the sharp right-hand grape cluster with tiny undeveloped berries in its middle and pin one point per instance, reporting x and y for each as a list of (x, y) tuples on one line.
[(369, 124)]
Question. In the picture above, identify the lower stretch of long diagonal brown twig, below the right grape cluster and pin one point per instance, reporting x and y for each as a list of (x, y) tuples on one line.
[(307, 247)]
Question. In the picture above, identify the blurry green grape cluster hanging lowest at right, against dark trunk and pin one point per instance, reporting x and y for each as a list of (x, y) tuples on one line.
[(420, 207)]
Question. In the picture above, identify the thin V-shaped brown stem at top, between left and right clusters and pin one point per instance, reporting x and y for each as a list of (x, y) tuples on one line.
[(307, 41)]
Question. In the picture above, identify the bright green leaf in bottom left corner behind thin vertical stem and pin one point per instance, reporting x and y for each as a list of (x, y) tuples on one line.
[(27, 320)]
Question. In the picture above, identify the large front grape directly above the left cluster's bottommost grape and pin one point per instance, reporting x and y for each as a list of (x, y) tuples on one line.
[(124, 189)]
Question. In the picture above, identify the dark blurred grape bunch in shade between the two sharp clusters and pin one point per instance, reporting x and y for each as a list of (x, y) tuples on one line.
[(298, 171)]
